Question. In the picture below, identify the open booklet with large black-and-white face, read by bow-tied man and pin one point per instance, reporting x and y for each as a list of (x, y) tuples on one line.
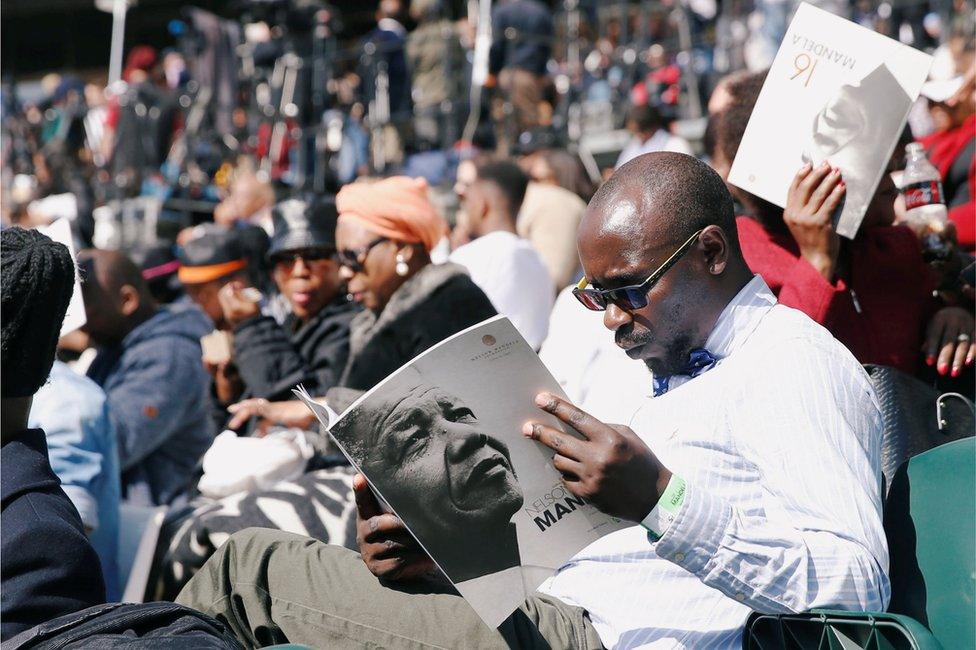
[(440, 441)]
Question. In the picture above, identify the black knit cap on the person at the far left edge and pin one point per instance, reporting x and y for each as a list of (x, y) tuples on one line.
[(36, 280)]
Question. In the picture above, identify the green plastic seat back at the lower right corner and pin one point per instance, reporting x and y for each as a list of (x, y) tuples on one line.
[(930, 522)]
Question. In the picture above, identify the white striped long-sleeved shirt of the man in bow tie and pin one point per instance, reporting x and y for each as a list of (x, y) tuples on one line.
[(780, 446)]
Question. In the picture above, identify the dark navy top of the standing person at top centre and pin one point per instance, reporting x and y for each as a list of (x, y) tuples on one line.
[(531, 24)]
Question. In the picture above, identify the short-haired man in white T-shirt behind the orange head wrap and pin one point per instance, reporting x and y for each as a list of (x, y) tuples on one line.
[(506, 267)]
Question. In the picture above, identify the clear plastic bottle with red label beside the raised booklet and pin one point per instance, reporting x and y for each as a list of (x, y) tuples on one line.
[(925, 203)]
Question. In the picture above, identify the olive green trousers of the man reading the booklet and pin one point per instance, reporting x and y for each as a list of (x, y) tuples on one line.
[(273, 587)]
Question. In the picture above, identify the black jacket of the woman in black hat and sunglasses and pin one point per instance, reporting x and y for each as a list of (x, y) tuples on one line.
[(273, 359)]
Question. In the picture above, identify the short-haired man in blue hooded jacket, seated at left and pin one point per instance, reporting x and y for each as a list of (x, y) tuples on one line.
[(148, 363)]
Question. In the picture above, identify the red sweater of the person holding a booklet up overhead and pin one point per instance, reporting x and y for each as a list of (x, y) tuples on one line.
[(880, 315)]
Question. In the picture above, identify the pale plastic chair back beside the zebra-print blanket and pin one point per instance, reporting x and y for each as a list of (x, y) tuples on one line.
[(139, 528)]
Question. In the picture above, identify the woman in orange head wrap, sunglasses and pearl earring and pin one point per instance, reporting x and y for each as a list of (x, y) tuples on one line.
[(385, 233)]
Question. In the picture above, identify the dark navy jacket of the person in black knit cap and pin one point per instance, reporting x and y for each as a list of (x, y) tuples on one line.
[(49, 569)]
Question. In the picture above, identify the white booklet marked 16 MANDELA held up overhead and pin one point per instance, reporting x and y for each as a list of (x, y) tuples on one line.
[(836, 91)]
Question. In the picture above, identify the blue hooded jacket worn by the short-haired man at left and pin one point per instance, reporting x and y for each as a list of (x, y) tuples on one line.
[(159, 400)]
